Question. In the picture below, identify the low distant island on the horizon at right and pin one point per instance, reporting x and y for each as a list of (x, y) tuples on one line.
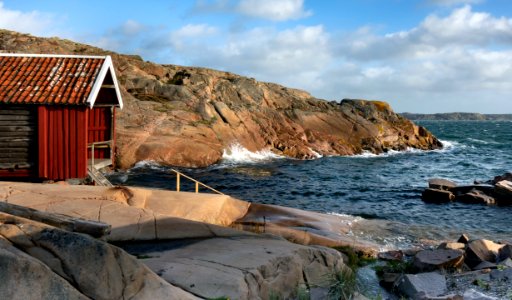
[(458, 116)]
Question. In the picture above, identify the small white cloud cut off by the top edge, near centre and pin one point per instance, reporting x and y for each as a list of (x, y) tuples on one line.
[(273, 10)]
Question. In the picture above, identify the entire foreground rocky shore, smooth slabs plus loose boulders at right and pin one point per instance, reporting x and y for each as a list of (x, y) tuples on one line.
[(190, 246)]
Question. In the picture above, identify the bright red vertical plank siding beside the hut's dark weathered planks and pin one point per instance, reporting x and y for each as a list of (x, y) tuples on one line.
[(62, 142)]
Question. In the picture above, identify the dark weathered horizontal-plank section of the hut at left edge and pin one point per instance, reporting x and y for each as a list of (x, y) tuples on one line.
[(18, 141)]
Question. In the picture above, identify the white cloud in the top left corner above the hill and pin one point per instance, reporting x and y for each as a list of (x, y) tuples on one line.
[(33, 22)]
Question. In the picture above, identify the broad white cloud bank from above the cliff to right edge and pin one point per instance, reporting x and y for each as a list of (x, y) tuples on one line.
[(459, 61)]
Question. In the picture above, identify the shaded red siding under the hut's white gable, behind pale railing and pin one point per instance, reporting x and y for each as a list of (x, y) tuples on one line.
[(100, 120)]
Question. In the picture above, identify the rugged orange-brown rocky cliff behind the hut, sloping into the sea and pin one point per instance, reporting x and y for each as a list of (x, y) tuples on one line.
[(188, 116)]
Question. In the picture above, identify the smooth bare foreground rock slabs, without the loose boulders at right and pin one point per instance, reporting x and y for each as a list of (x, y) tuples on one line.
[(187, 246)]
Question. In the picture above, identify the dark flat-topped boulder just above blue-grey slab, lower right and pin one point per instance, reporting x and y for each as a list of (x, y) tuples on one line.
[(429, 260)]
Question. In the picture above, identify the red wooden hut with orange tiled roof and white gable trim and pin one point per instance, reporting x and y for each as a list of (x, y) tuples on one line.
[(56, 115)]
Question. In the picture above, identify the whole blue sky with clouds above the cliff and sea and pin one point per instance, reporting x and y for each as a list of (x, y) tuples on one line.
[(419, 55)]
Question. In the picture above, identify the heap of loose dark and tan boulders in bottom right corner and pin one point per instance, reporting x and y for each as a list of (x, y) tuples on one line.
[(462, 269)]
